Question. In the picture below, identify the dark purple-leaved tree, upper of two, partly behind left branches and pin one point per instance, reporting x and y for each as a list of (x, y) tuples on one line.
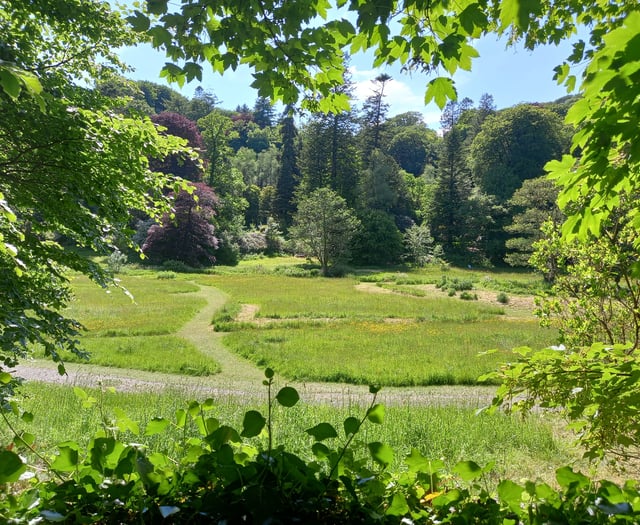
[(179, 126)]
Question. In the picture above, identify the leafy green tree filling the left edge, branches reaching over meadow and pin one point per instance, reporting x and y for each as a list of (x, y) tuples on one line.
[(71, 168)]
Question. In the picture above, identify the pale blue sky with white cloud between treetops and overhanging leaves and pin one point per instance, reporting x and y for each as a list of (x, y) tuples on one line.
[(511, 76)]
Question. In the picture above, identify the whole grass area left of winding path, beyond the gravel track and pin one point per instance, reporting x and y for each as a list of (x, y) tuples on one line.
[(140, 329)]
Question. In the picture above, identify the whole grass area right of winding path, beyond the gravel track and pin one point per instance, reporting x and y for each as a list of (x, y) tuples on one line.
[(317, 329)]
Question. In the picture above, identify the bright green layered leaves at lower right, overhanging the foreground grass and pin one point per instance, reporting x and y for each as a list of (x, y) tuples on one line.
[(595, 387)]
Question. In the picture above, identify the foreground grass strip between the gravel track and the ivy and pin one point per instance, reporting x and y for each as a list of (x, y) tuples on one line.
[(451, 433)]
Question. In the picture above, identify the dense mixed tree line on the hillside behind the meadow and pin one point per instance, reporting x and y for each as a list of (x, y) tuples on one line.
[(473, 194)]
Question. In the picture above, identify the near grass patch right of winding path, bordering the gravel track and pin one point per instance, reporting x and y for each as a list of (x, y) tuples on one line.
[(392, 354)]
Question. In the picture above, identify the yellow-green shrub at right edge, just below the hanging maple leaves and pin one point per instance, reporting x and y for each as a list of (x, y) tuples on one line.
[(595, 294)]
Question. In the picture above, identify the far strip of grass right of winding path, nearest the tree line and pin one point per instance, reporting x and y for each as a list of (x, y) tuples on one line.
[(291, 297)]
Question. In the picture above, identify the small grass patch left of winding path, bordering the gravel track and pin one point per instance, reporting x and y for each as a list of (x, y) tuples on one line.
[(154, 353)]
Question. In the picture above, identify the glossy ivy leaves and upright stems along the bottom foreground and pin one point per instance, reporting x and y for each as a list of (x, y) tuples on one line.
[(223, 474)]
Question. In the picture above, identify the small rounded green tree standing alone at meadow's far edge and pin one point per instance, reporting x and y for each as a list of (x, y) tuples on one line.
[(323, 227)]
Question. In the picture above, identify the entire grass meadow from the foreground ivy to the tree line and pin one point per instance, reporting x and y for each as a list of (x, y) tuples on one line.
[(311, 329)]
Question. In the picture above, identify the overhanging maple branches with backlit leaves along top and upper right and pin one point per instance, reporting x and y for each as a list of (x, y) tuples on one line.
[(607, 115)]
